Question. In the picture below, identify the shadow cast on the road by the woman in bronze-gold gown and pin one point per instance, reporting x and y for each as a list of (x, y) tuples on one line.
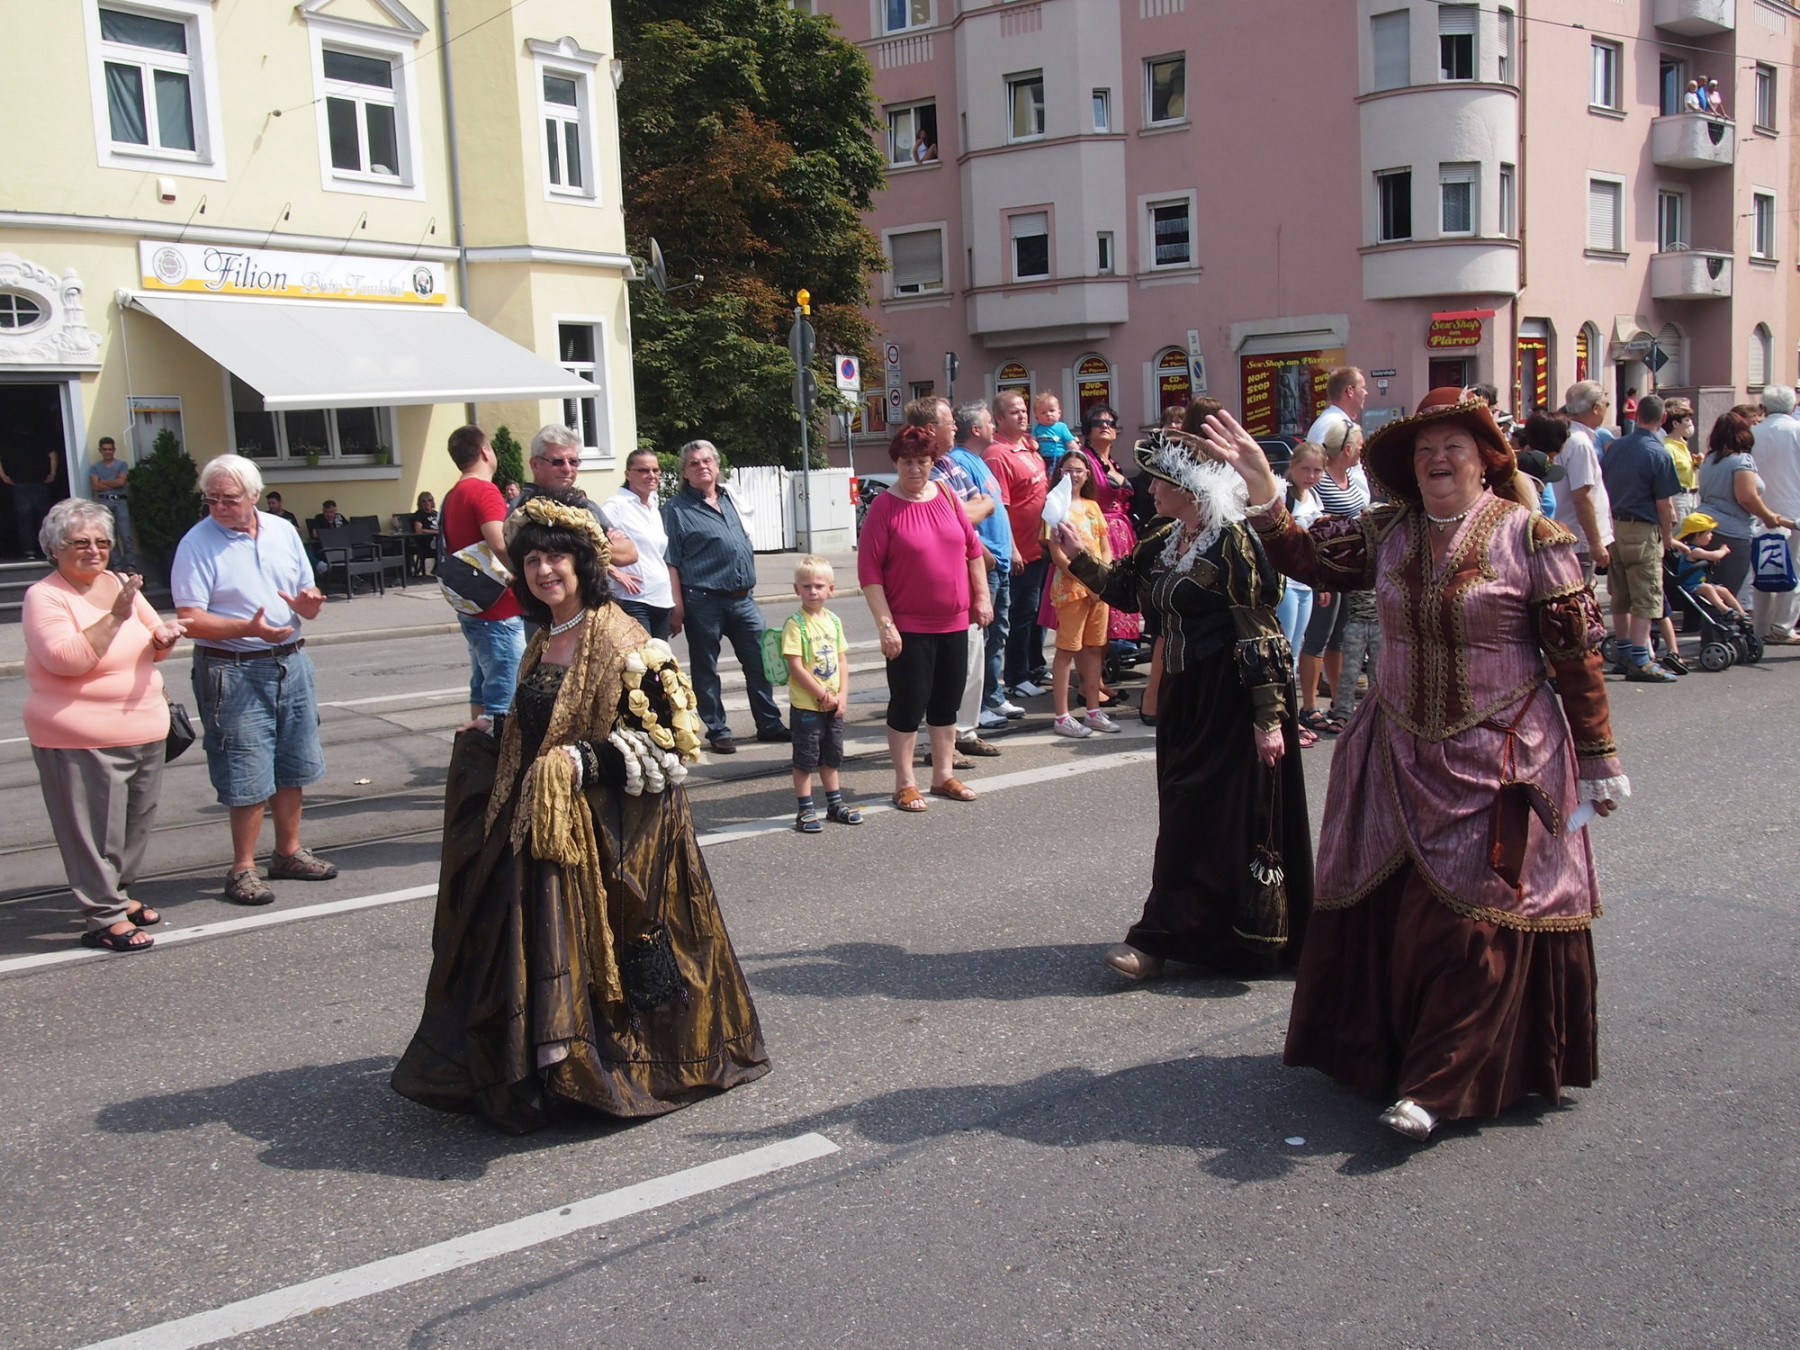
[(345, 1119)]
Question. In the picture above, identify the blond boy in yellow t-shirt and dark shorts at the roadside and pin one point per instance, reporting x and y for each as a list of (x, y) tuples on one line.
[(818, 687)]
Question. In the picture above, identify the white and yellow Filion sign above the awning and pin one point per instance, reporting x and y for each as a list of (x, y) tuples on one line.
[(285, 276)]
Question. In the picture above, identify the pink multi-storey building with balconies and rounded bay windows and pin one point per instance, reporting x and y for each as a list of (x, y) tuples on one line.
[(1140, 201)]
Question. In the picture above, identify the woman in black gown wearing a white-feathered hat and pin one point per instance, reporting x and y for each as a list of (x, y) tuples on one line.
[(1232, 881)]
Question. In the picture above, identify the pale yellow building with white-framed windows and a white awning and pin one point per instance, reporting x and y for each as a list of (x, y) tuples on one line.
[(310, 233)]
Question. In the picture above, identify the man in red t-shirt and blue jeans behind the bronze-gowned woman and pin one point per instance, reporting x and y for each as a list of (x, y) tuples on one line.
[(474, 510)]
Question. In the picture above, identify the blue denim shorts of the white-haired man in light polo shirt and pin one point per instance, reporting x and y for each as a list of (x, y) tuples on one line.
[(262, 724)]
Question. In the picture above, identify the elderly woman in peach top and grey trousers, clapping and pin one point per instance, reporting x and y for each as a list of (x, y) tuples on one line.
[(98, 719)]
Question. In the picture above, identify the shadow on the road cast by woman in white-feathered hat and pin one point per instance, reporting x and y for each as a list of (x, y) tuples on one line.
[(1005, 973)]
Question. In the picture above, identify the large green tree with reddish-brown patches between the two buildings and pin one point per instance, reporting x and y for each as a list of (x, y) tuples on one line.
[(750, 156)]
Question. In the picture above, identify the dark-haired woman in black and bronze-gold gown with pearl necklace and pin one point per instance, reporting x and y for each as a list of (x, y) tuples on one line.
[(579, 948)]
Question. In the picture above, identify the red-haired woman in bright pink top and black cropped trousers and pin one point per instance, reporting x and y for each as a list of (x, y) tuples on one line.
[(924, 577)]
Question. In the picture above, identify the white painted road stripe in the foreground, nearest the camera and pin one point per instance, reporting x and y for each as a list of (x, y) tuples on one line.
[(469, 1250)]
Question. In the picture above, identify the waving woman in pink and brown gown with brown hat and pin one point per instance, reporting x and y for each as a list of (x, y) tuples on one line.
[(1450, 964)]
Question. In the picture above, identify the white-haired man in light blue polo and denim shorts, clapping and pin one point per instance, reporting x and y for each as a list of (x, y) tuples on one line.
[(242, 588)]
